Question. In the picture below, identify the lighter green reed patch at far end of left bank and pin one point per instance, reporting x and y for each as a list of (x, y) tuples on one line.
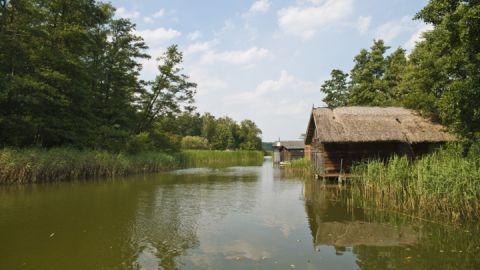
[(218, 158)]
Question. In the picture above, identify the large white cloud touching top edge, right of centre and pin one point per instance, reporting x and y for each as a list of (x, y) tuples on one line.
[(306, 21)]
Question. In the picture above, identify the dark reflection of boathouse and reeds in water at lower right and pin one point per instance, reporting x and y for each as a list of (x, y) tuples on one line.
[(386, 240)]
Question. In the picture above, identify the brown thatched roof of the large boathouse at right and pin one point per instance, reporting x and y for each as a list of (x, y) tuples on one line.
[(370, 124)]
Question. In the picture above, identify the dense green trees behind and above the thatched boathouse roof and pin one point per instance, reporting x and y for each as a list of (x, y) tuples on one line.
[(440, 77)]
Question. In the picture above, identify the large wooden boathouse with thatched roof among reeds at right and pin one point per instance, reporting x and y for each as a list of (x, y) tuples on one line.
[(336, 138)]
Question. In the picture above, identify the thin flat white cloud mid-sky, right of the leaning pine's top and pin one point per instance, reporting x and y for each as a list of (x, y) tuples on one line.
[(236, 57)]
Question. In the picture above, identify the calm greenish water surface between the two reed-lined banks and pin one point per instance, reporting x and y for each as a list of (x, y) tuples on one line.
[(233, 218)]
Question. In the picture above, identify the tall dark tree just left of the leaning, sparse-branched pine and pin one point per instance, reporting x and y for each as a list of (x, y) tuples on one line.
[(115, 81)]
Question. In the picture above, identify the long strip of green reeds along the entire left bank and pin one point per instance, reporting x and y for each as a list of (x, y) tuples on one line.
[(65, 164)]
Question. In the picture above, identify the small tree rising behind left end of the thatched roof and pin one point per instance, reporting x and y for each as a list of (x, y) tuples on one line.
[(336, 89)]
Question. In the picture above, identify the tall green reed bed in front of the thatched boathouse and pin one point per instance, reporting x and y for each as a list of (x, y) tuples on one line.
[(444, 184)]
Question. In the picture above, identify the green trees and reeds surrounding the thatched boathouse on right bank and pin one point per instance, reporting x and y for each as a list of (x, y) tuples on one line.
[(439, 78)]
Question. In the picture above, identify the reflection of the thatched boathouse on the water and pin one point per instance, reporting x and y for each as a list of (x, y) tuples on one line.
[(333, 223)]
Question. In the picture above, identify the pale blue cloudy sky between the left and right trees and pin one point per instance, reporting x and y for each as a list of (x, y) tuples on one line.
[(265, 60)]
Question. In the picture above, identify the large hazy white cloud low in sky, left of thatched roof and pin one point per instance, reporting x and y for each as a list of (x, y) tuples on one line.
[(274, 102)]
